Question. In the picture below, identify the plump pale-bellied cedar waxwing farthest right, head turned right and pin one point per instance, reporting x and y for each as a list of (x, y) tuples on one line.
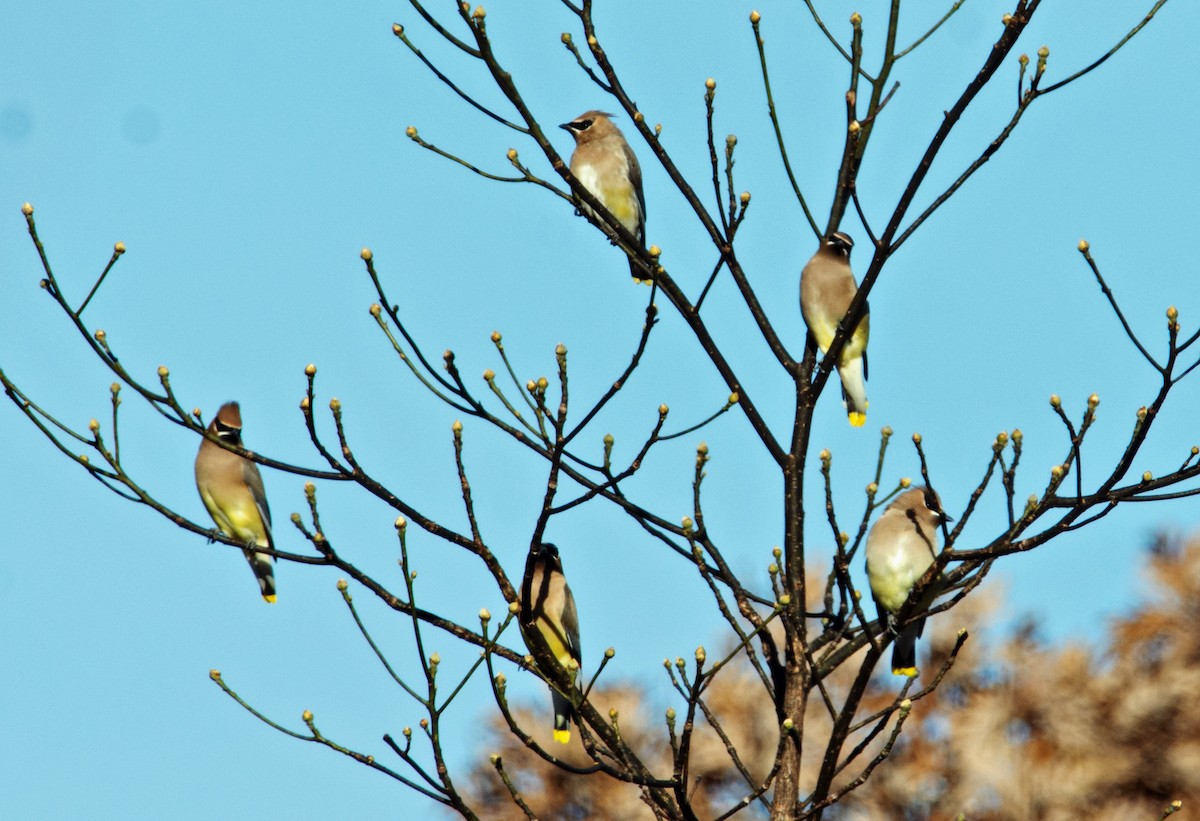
[(899, 550)]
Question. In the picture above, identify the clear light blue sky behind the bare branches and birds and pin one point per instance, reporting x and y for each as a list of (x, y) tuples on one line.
[(245, 154)]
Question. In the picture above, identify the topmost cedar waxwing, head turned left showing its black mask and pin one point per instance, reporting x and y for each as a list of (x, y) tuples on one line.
[(604, 164)]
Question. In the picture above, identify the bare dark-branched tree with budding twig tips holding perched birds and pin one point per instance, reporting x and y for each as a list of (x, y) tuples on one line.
[(811, 648)]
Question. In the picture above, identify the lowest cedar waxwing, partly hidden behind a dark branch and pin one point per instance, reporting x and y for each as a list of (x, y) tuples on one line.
[(550, 608)]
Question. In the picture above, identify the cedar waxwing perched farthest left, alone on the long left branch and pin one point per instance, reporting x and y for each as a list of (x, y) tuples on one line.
[(232, 490)]
